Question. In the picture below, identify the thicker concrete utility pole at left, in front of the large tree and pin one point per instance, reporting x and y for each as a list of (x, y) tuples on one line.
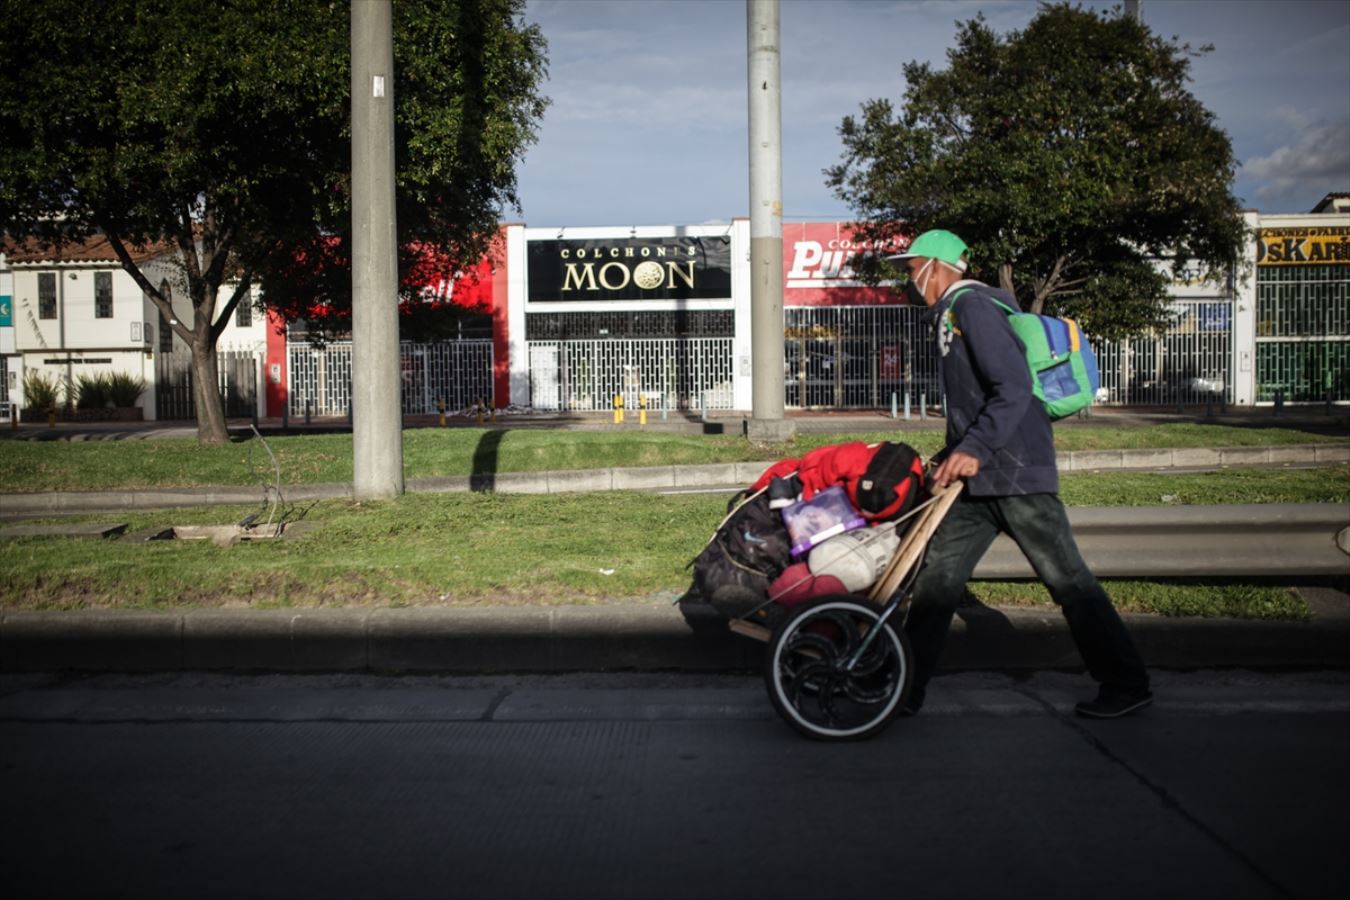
[(376, 405)]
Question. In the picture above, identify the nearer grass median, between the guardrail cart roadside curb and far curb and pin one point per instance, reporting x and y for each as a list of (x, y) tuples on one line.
[(492, 550)]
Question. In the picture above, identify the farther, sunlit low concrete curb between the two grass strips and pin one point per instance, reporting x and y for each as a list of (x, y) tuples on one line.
[(649, 478)]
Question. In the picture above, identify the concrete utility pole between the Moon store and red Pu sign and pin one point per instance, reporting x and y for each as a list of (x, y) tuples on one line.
[(766, 128)]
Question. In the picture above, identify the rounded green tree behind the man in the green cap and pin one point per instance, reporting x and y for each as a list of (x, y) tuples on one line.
[(1070, 156)]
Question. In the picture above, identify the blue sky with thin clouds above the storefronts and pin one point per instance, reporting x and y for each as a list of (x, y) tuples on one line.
[(649, 119)]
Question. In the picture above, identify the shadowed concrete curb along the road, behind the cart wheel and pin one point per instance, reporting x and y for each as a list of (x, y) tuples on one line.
[(589, 639)]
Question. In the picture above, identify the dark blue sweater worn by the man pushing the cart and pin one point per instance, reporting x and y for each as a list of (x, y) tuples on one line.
[(992, 414)]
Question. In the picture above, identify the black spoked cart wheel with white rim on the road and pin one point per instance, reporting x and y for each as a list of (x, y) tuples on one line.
[(807, 670)]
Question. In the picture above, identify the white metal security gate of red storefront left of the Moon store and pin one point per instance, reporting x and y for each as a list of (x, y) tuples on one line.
[(458, 373)]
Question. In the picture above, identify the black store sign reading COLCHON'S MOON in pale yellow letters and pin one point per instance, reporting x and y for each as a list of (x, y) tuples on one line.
[(631, 269)]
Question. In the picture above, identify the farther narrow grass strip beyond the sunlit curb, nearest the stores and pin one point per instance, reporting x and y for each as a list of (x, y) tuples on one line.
[(308, 459)]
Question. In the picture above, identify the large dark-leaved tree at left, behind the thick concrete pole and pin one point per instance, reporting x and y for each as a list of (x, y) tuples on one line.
[(223, 129)]
